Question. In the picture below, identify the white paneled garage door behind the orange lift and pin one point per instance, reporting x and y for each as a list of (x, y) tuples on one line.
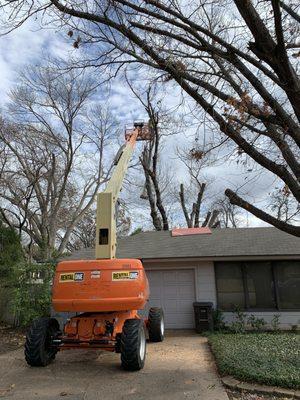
[(174, 291)]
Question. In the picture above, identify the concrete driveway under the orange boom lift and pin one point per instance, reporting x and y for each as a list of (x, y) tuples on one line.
[(179, 368)]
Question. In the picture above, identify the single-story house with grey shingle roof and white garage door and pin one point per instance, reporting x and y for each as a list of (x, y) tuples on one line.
[(255, 269)]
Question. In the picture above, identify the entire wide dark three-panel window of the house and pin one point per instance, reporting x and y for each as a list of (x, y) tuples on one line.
[(258, 285)]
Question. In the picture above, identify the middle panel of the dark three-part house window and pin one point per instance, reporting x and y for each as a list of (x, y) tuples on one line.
[(261, 291)]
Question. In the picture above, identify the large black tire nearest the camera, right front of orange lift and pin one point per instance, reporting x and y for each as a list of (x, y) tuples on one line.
[(133, 334)]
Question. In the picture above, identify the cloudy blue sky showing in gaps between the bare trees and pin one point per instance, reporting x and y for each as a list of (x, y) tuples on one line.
[(30, 44)]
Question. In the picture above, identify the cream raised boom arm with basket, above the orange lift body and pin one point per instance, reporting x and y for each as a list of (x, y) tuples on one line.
[(106, 237)]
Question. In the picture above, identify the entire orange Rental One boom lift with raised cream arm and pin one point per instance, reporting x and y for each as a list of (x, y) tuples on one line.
[(105, 293)]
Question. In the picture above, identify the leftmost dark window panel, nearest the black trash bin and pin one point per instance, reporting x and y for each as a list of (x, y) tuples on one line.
[(230, 288)]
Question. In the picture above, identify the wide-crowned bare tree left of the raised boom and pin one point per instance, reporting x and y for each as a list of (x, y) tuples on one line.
[(54, 156)]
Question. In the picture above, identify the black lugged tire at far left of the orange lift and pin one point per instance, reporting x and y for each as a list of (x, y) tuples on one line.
[(38, 349)]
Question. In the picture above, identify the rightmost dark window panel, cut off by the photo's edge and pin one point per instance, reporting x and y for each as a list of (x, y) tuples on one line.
[(288, 281)]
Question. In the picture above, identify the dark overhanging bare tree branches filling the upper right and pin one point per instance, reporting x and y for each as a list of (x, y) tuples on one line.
[(238, 60)]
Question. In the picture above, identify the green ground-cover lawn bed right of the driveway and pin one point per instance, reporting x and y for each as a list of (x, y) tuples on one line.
[(267, 358)]
